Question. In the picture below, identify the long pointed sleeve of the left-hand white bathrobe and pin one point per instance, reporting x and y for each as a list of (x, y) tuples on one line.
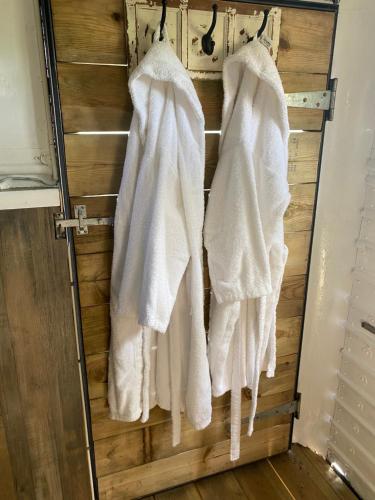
[(157, 252)]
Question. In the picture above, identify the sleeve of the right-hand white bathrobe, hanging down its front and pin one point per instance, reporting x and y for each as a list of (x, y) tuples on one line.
[(249, 193)]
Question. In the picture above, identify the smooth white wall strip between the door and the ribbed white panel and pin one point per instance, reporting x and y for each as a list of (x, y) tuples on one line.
[(347, 147)]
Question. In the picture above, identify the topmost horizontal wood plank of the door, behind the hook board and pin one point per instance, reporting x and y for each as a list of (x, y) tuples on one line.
[(93, 31)]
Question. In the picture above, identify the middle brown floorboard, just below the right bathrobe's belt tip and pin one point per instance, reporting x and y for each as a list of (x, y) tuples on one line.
[(259, 480)]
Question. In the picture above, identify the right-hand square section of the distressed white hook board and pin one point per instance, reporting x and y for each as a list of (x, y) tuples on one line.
[(246, 27)]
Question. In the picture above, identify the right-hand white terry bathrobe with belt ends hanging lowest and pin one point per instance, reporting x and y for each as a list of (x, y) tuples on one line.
[(244, 228)]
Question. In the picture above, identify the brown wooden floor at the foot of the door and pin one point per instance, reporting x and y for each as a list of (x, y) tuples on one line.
[(297, 474)]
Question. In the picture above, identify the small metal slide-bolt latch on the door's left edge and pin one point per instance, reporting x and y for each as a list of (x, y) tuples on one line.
[(81, 222)]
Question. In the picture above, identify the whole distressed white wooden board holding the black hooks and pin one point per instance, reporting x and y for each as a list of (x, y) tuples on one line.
[(185, 29)]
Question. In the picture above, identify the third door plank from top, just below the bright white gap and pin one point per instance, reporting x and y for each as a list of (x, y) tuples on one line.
[(95, 162)]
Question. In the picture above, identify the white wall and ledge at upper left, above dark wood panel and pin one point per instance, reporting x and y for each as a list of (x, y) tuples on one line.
[(27, 157)]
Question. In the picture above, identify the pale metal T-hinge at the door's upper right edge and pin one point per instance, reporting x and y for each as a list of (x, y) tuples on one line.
[(322, 99)]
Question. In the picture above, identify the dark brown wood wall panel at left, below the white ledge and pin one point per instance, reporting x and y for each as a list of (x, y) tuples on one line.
[(41, 400)]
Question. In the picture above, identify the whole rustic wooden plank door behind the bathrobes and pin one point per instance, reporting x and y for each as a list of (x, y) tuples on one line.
[(135, 459)]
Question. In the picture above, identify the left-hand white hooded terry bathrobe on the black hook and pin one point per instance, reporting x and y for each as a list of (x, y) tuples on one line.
[(158, 351)]
